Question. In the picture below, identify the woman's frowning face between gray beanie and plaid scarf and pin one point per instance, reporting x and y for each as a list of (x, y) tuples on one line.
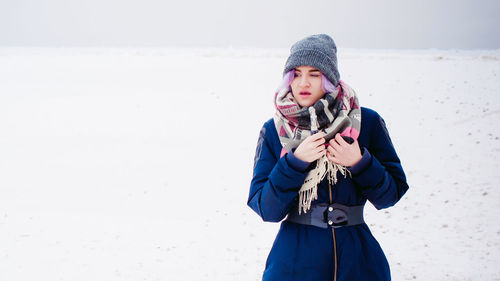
[(306, 85)]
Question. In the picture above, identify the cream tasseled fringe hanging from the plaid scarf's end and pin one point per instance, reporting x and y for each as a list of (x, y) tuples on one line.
[(309, 190)]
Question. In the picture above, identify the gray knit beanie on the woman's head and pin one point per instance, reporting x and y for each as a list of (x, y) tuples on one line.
[(318, 51)]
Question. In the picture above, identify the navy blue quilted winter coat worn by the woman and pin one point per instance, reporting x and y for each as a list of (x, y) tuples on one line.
[(304, 252)]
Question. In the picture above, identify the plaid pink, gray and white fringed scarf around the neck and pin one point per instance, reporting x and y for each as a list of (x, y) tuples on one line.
[(336, 112)]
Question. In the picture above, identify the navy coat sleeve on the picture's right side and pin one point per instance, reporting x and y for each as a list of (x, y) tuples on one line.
[(382, 180)]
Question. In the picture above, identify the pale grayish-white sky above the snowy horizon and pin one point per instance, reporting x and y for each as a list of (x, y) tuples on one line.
[(443, 24)]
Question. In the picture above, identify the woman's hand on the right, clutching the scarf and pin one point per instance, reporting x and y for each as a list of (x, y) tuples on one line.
[(343, 153)]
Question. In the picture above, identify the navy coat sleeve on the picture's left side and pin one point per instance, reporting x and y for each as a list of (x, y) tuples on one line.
[(275, 184)]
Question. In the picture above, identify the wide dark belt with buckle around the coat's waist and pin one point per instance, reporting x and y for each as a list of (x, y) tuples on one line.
[(325, 215)]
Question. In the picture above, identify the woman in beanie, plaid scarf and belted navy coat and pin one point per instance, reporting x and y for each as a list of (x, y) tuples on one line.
[(317, 162)]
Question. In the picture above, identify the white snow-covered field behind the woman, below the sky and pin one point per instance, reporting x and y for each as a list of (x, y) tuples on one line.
[(135, 164)]
